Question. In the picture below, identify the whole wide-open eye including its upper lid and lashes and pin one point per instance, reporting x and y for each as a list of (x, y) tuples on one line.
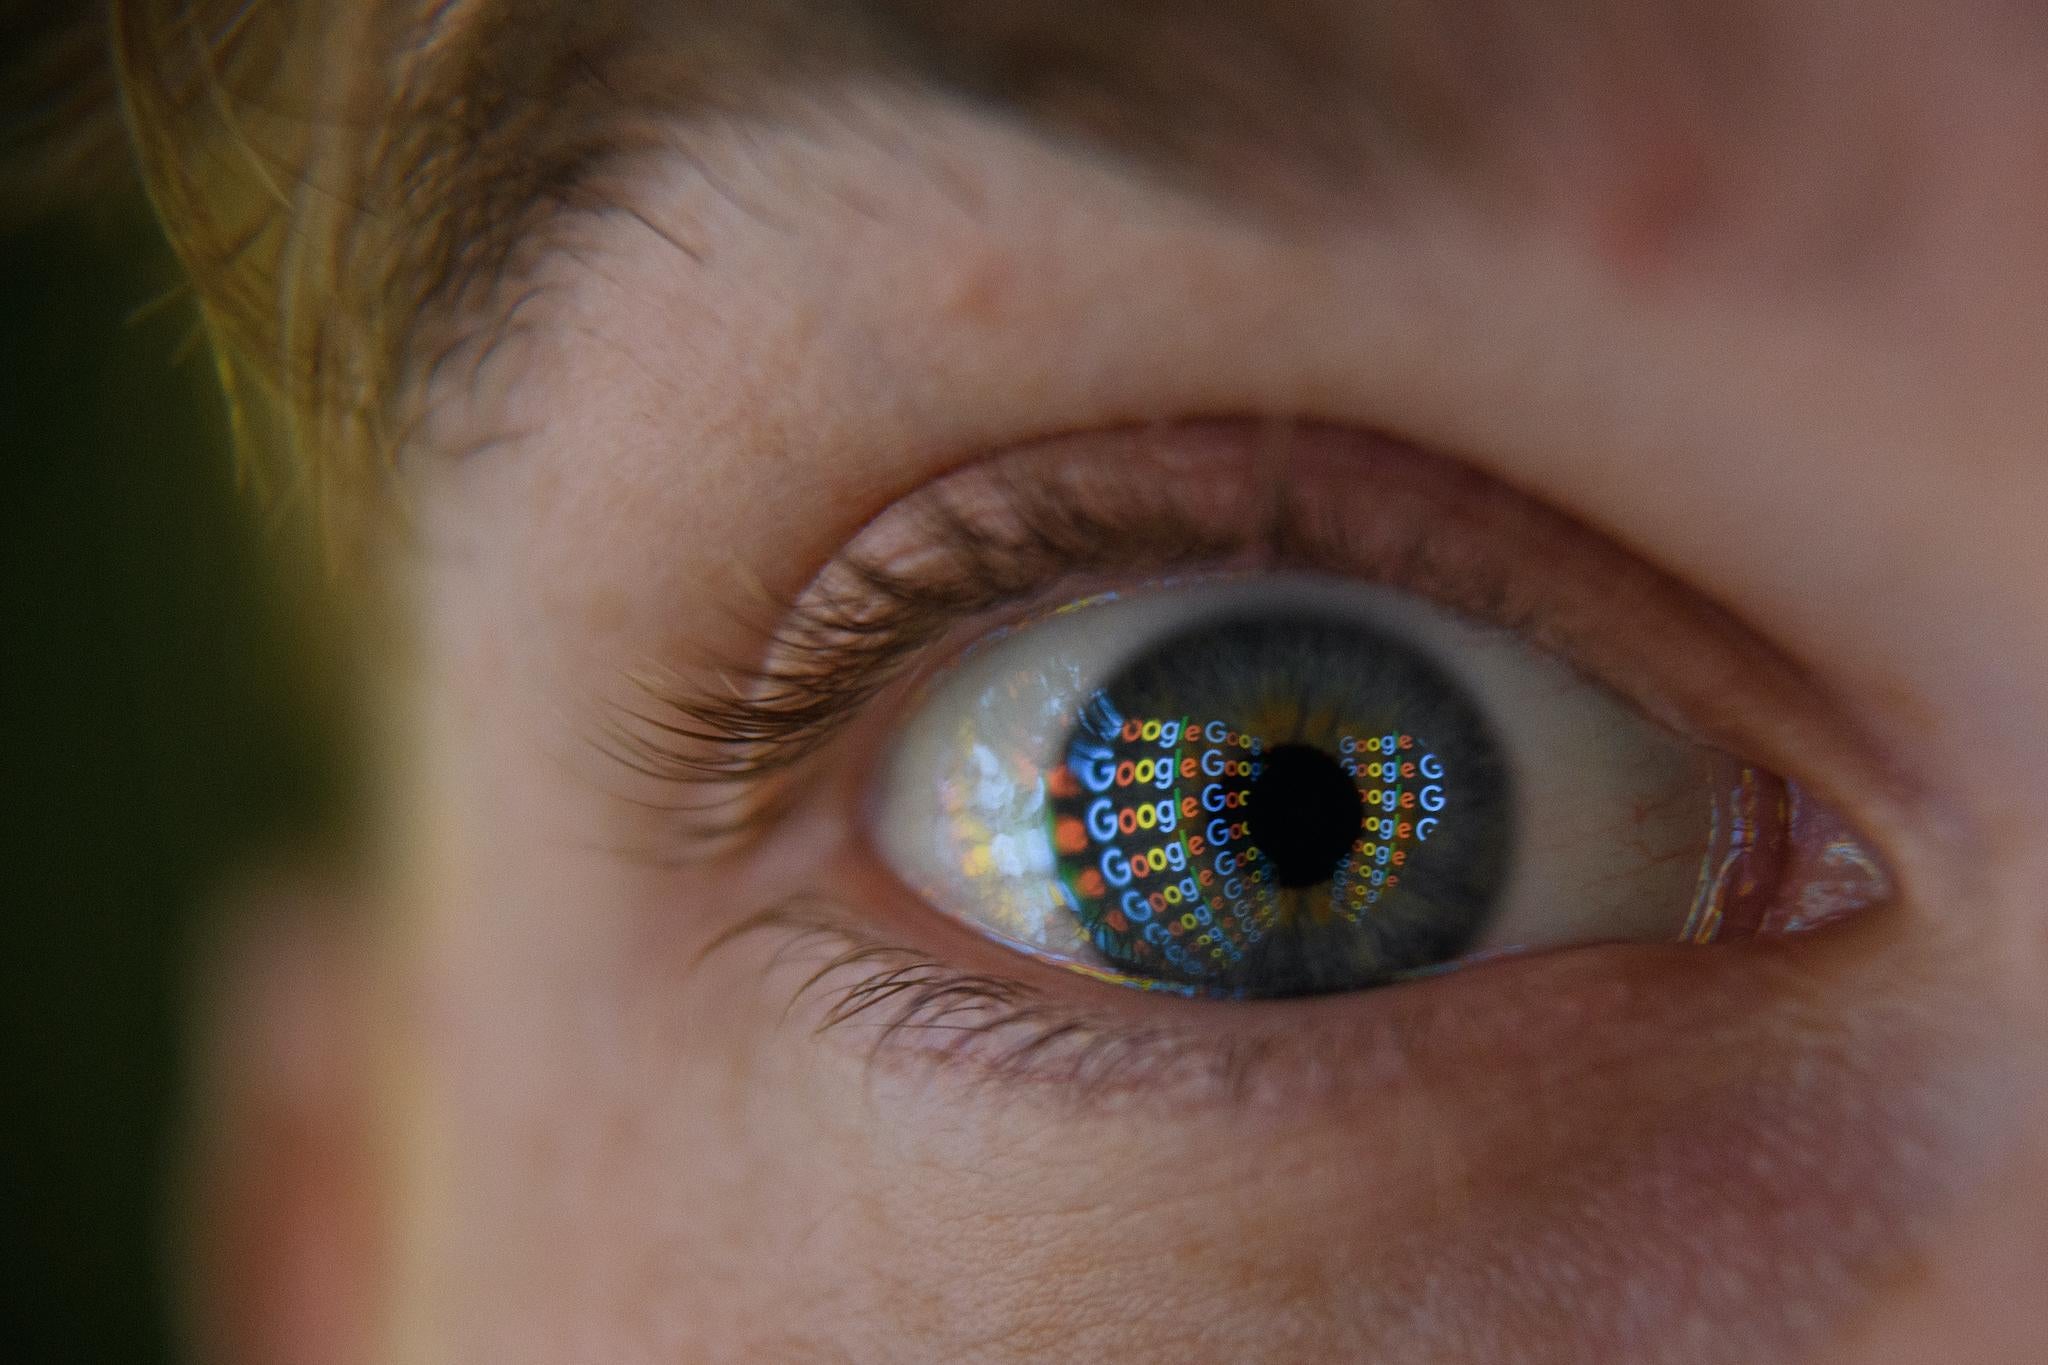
[(1232, 711)]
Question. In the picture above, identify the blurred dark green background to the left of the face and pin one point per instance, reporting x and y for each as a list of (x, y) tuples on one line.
[(153, 748)]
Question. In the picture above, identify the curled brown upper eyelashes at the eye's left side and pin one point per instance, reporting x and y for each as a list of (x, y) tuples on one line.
[(855, 627)]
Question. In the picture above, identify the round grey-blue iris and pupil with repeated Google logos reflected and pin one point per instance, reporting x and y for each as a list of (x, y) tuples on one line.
[(1263, 803)]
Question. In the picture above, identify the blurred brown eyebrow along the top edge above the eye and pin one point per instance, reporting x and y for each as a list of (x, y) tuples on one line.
[(1246, 101)]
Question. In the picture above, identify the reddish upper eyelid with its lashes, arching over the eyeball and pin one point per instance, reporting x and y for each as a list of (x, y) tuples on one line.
[(1017, 527)]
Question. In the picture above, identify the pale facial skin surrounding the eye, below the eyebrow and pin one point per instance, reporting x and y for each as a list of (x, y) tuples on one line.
[(1799, 378)]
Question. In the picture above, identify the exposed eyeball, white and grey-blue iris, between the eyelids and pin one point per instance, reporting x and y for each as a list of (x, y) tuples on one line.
[(1289, 785)]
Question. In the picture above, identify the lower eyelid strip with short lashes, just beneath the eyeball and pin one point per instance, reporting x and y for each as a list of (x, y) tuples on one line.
[(867, 967)]
